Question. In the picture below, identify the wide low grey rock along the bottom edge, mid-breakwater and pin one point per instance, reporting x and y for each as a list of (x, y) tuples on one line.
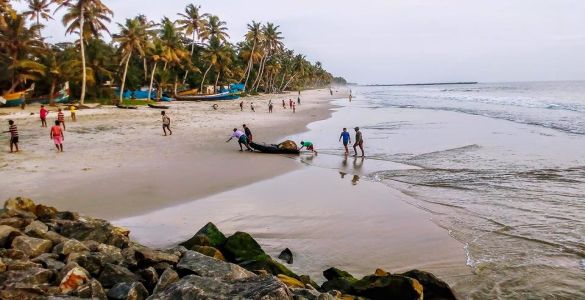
[(196, 287)]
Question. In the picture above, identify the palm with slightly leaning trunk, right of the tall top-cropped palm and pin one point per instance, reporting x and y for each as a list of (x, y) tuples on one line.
[(132, 37)]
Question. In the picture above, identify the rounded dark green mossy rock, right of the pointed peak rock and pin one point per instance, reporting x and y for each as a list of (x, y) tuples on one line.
[(242, 247)]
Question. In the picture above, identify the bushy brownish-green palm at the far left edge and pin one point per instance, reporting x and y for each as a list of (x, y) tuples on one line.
[(19, 44)]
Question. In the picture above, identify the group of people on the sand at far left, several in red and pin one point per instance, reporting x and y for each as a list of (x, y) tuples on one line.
[(56, 133)]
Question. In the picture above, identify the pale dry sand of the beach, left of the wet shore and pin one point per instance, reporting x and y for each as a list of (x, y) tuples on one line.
[(117, 163)]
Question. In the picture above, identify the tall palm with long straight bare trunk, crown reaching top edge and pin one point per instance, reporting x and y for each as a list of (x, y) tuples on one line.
[(86, 18)]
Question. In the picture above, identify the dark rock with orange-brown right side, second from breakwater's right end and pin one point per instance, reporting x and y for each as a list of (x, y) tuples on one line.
[(388, 287)]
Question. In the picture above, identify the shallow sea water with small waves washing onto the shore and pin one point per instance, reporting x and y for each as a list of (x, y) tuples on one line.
[(501, 166)]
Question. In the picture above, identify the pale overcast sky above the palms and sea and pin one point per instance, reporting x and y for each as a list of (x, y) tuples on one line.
[(407, 41)]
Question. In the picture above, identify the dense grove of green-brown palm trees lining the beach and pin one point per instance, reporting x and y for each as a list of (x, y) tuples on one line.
[(166, 55)]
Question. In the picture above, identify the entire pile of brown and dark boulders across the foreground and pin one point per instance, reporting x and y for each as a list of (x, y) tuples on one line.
[(51, 254)]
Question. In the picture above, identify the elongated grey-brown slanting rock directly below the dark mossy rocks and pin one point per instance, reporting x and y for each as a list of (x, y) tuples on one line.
[(196, 263)]
